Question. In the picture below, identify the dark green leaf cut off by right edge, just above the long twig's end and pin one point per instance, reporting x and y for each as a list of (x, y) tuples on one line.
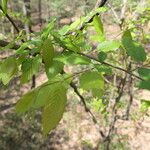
[(144, 73)]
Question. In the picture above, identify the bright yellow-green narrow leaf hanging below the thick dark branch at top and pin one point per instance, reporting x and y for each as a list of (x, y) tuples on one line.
[(99, 28)]
